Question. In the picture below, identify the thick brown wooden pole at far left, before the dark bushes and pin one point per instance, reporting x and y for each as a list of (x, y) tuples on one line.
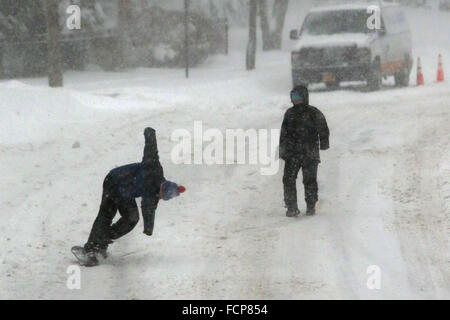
[(55, 74)]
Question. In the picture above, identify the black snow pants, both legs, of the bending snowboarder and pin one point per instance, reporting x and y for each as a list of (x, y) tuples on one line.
[(104, 231)]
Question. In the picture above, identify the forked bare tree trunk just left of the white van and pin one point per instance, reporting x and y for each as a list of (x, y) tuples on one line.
[(272, 26)]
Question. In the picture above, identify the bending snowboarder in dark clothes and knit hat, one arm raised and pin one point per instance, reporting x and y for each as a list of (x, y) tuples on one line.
[(121, 187)]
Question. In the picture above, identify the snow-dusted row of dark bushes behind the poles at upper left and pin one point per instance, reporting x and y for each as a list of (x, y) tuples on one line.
[(154, 34)]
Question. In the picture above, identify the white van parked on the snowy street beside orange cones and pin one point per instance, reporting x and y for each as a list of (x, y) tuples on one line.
[(338, 44)]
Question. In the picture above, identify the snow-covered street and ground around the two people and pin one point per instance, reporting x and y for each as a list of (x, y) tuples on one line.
[(384, 185)]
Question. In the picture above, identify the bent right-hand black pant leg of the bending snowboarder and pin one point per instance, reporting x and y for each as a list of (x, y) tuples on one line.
[(129, 218)]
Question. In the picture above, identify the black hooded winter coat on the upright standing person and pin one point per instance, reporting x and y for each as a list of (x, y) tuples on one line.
[(303, 132)]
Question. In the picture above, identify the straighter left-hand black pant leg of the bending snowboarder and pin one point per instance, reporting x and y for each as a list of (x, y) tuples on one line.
[(100, 235)]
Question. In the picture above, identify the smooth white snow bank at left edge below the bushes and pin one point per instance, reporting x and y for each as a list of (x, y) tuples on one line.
[(32, 114)]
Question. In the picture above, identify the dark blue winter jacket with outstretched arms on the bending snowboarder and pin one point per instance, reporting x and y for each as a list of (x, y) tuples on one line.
[(142, 179)]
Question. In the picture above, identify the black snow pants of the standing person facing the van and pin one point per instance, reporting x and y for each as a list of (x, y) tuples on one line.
[(309, 170)]
